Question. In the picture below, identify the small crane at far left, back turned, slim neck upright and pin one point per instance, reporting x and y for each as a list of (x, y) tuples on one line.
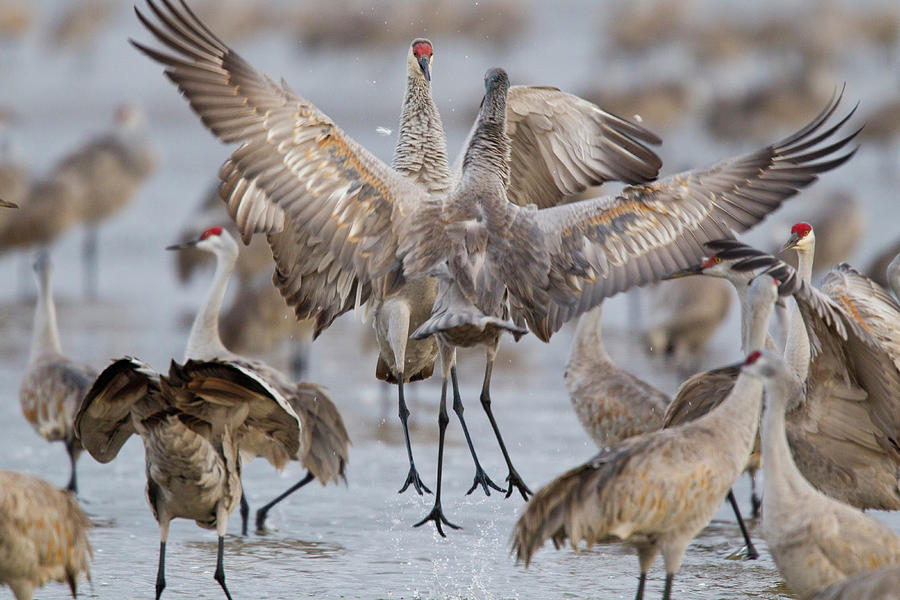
[(53, 384)]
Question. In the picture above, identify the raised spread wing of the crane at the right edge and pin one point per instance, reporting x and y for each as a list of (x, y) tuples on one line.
[(850, 364)]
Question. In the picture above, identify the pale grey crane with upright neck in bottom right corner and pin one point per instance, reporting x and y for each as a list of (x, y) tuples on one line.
[(815, 540)]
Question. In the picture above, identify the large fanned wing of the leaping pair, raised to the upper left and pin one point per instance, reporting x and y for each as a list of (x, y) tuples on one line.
[(331, 209)]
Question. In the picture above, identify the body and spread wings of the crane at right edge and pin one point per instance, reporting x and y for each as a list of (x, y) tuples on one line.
[(840, 433)]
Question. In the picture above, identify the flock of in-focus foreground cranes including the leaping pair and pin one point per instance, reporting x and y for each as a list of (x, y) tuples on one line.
[(453, 257)]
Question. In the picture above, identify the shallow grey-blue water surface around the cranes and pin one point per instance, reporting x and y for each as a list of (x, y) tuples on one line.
[(353, 541)]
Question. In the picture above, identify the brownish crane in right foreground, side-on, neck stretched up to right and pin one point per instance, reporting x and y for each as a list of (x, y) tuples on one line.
[(655, 491)]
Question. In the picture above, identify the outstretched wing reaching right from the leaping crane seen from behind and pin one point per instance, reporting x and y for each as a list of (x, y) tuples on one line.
[(606, 245)]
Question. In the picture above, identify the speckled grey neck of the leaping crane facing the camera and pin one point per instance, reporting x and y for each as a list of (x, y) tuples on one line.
[(421, 151)]
